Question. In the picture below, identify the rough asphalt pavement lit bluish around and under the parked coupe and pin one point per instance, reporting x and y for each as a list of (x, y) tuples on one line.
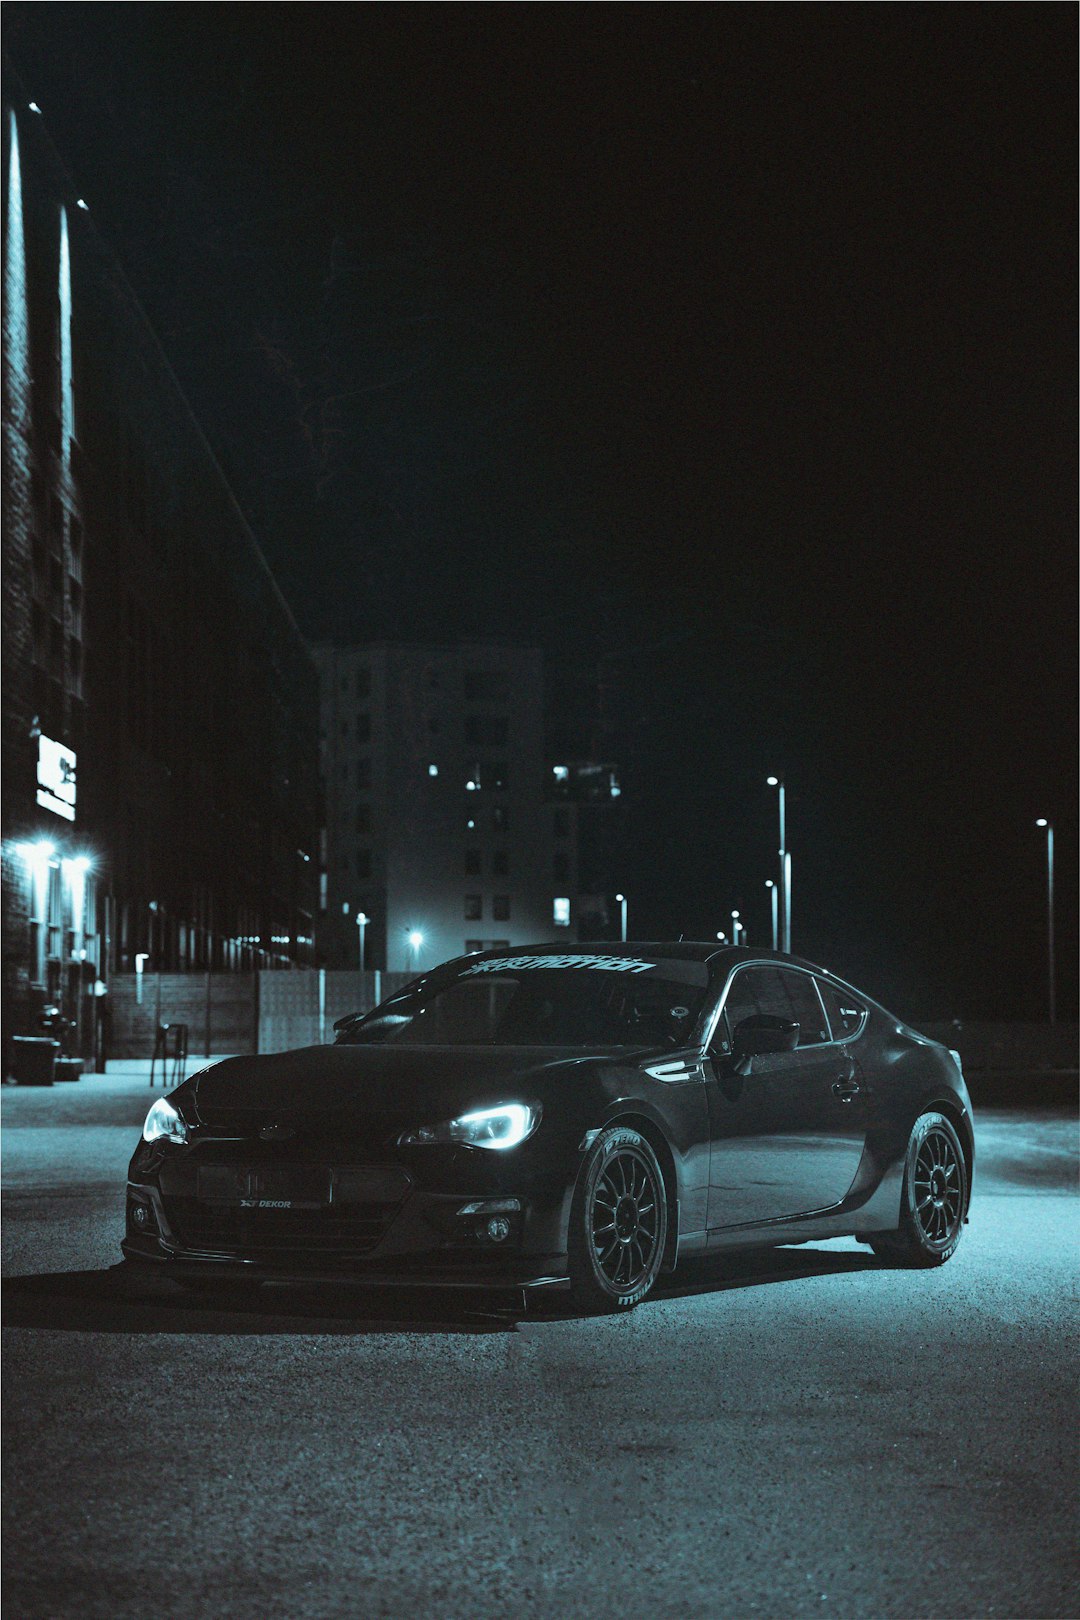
[(799, 1435)]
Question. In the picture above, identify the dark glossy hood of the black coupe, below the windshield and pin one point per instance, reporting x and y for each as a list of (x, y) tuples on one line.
[(383, 1086)]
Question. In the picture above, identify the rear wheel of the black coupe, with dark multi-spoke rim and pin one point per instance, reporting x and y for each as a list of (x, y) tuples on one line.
[(933, 1200)]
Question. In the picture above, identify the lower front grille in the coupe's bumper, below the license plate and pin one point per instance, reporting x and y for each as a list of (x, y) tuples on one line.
[(333, 1230)]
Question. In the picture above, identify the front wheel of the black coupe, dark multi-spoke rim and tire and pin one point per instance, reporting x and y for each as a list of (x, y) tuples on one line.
[(618, 1224)]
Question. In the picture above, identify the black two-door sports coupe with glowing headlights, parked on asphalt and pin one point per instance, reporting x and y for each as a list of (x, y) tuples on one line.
[(550, 1119)]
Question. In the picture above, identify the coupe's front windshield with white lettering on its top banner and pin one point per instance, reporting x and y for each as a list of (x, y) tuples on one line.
[(545, 1002)]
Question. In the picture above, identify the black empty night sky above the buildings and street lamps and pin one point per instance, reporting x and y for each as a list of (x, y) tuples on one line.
[(725, 352)]
